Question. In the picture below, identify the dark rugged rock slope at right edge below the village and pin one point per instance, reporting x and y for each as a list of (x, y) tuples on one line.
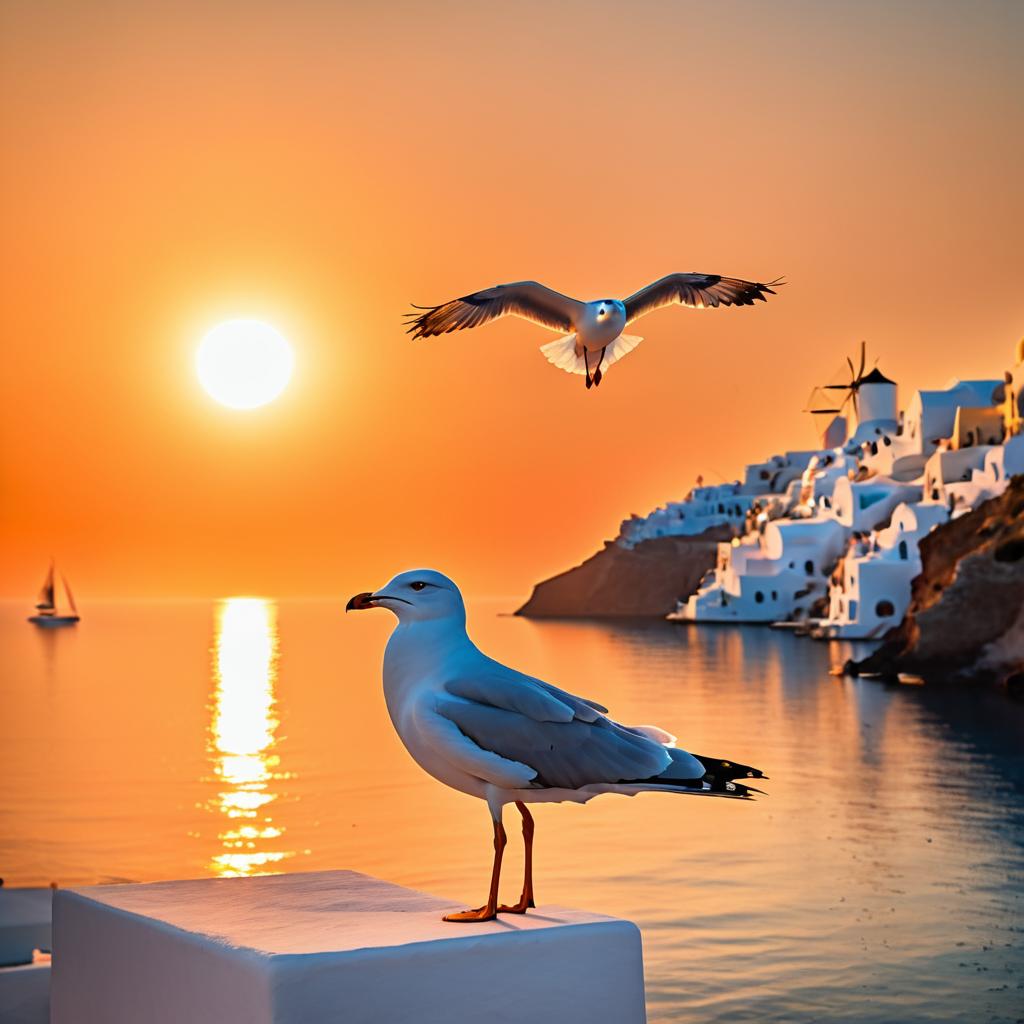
[(966, 619)]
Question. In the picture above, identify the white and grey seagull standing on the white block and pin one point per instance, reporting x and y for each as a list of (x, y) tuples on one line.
[(490, 732)]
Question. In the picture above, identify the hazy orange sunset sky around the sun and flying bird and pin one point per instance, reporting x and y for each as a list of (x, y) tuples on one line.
[(320, 166)]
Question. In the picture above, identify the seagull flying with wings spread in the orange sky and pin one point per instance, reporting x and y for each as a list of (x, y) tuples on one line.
[(592, 332)]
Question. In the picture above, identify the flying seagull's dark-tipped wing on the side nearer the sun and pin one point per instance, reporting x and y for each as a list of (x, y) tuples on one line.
[(525, 298)]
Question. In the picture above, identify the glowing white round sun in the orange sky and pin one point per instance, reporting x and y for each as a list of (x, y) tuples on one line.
[(244, 364)]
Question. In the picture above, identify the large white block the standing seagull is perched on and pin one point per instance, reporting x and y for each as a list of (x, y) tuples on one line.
[(330, 948)]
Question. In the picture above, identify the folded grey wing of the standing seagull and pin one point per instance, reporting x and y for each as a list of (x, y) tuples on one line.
[(563, 739)]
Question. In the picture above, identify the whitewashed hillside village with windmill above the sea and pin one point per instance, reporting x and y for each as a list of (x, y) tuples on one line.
[(829, 538)]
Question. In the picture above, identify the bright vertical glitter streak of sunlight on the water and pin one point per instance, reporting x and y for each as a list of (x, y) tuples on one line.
[(243, 737)]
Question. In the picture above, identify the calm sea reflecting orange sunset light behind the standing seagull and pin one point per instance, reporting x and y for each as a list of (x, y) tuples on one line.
[(880, 882)]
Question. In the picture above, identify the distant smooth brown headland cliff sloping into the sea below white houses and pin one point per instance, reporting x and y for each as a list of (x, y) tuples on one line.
[(646, 581)]
